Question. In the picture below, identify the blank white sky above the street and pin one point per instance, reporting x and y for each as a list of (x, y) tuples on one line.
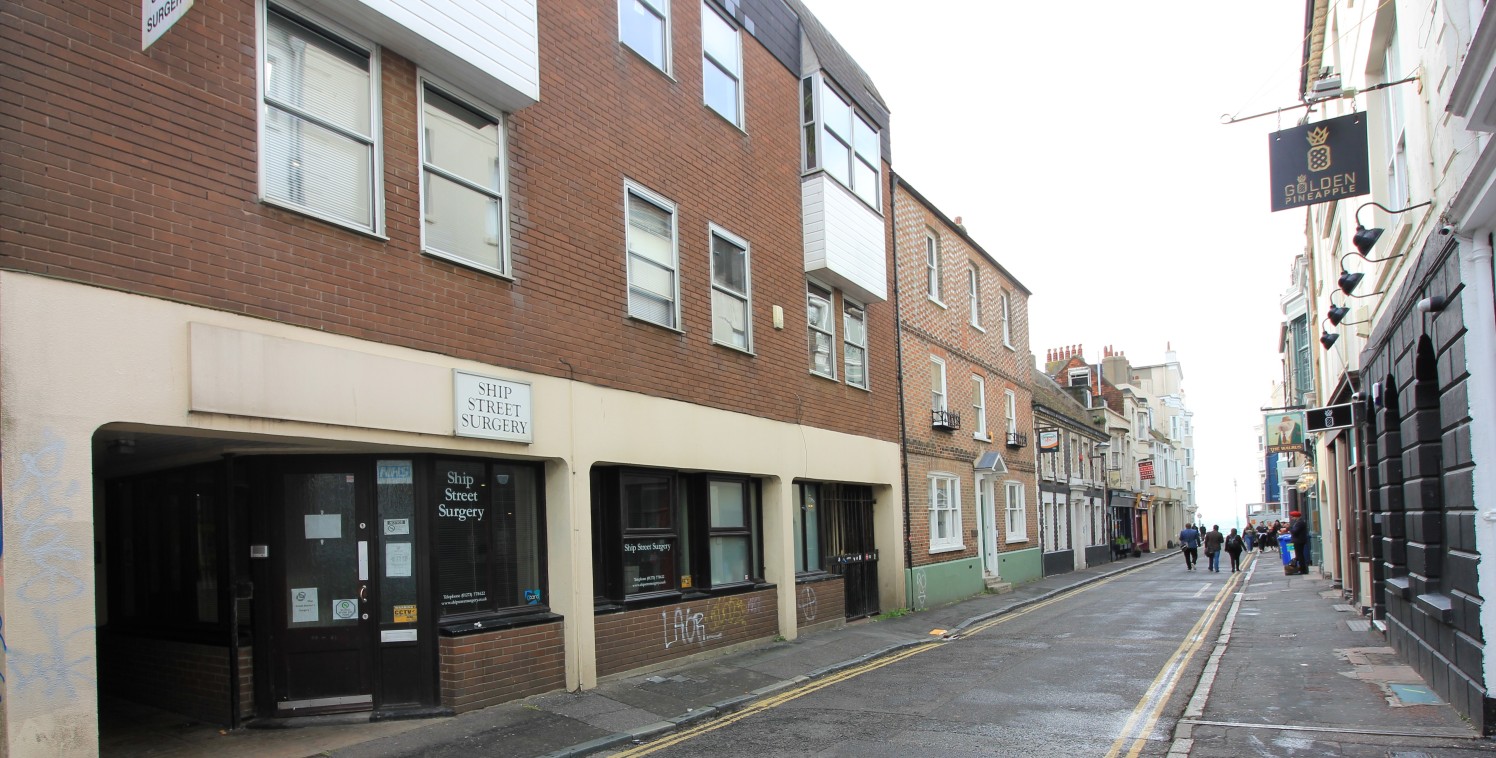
[(1082, 146)]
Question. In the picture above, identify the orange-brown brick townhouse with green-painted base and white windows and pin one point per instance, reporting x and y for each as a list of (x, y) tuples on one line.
[(967, 410)]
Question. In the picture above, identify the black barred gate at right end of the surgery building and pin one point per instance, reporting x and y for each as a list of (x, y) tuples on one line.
[(850, 549)]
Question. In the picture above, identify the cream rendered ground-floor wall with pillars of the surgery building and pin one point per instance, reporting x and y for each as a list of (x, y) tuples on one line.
[(74, 358)]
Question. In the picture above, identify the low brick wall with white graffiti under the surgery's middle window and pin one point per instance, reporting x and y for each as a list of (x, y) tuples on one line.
[(653, 636)]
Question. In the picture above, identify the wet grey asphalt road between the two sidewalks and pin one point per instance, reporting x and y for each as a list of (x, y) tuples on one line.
[(1102, 671)]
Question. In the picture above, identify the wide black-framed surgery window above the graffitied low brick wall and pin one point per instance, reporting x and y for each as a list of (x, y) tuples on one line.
[(660, 534)]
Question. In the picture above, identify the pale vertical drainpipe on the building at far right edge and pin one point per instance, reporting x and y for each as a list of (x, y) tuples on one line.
[(1479, 306)]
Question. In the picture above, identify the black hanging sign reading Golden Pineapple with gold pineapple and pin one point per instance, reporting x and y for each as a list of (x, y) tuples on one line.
[(1322, 162)]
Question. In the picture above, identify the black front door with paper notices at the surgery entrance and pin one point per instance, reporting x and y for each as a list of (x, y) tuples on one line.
[(322, 599)]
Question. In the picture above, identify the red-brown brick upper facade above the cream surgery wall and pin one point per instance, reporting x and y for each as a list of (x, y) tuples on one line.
[(137, 171)]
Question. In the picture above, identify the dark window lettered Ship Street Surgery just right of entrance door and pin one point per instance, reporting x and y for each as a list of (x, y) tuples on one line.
[(490, 537)]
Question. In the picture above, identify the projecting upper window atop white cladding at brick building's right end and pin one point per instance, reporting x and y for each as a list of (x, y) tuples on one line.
[(840, 140)]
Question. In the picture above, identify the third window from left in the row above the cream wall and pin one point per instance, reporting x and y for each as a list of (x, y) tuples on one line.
[(653, 283)]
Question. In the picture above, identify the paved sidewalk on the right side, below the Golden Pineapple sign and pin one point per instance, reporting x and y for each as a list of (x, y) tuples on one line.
[(1298, 672)]
